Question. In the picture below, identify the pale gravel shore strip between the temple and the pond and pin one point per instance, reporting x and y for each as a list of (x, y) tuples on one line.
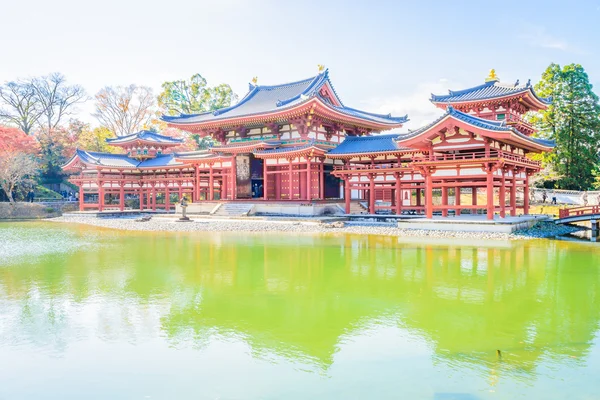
[(540, 230)]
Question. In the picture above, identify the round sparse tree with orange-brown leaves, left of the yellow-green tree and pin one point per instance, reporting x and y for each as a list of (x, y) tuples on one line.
[(125, 110)]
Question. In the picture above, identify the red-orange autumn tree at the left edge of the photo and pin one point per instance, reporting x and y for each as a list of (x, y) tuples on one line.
[(17, 160)]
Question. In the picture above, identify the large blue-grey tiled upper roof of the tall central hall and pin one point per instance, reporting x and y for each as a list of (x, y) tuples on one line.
[(263, 99)]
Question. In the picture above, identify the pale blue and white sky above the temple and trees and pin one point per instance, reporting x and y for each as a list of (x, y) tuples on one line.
[(383, 56)]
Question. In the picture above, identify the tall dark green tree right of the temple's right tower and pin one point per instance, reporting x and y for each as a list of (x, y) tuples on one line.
[(573, 121)]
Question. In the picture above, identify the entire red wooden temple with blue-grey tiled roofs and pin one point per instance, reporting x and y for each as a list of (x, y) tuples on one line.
[(297, 142)]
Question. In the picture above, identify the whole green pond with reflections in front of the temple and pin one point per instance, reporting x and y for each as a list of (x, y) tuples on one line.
[(89, 313)]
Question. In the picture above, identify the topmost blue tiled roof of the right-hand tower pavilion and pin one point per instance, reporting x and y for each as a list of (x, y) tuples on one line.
[(488, 90)]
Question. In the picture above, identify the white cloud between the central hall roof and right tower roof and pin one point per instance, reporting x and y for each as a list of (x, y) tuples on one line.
[(416, 103)]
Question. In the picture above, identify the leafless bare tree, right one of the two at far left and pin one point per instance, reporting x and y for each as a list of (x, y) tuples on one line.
[(57, 99)]
